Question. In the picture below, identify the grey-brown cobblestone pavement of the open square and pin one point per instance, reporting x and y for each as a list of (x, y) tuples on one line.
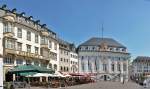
[(100, 85)]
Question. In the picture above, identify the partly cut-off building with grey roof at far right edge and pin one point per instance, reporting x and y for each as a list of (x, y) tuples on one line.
[(141, 67)]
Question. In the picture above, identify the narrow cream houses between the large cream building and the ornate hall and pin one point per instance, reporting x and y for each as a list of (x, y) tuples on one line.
[(68, 57)]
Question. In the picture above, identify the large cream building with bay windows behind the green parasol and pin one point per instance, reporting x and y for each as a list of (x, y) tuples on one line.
[(25, 41)]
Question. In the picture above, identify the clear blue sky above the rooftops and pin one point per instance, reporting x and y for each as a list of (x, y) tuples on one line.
[(127, 21)]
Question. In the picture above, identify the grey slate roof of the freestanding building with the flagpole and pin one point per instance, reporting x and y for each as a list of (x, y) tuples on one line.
[(94, 41)]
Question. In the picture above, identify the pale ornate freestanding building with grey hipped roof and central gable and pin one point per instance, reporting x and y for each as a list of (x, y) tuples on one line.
[(104, 57)]
